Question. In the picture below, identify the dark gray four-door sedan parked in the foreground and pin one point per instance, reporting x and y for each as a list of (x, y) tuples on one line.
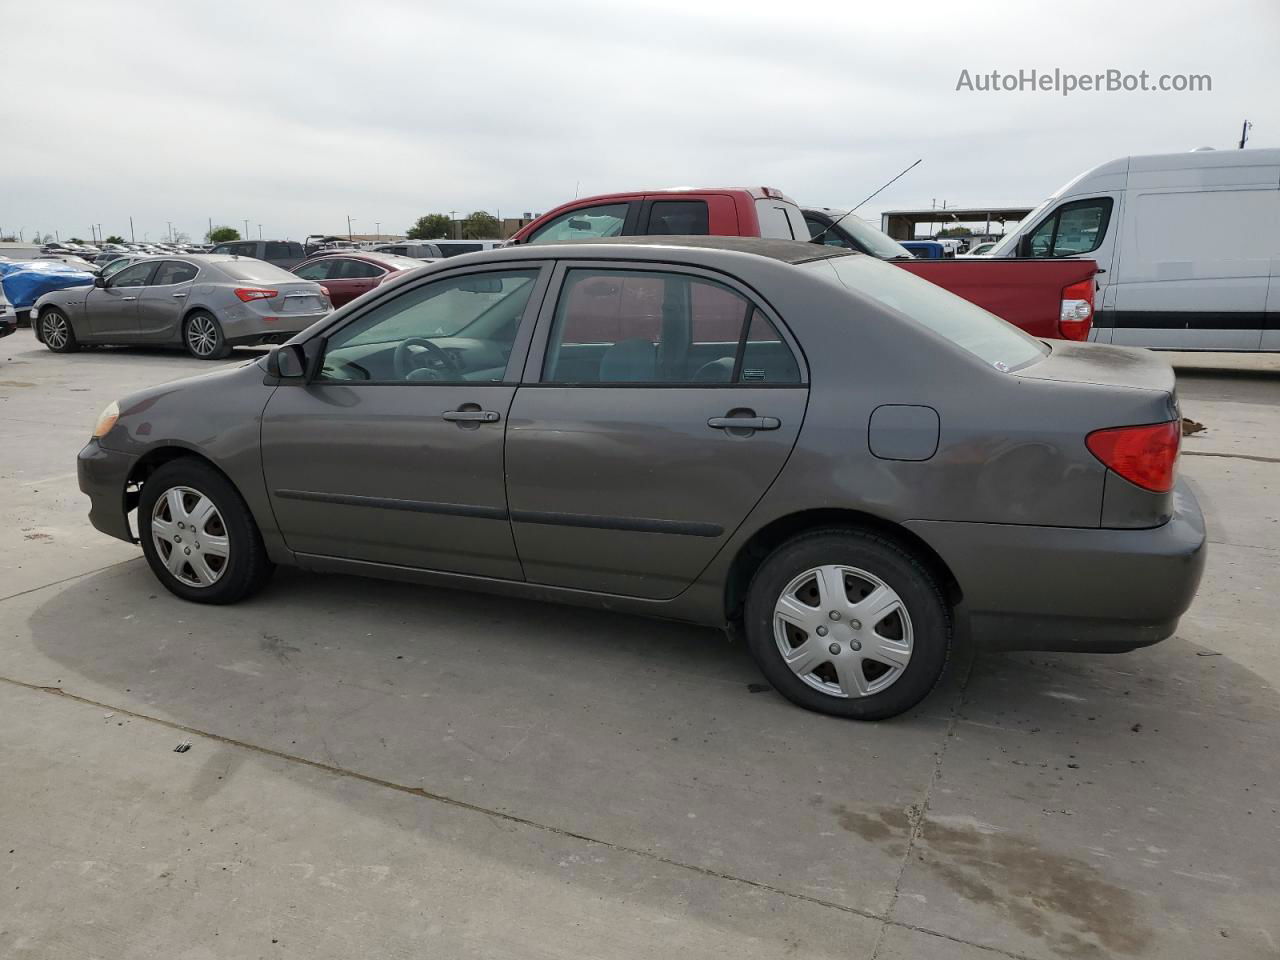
[(812, 447)]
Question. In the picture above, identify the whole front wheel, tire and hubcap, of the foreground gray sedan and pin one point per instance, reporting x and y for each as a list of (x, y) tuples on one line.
[(199, 536)]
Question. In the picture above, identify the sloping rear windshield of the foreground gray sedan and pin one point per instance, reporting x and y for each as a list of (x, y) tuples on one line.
[(967, 326)]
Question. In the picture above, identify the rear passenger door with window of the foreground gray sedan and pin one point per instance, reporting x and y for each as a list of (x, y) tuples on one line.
[(664, 404)]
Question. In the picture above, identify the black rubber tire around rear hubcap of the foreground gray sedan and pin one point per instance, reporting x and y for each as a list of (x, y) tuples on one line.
[(930, 624)]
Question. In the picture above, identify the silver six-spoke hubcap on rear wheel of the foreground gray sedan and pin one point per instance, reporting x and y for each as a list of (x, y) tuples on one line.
[(843, 632)]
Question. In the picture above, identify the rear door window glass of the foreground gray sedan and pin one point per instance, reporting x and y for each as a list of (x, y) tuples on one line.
[(619, 327)]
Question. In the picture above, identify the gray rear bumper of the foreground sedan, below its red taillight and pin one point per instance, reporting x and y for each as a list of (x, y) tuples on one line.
[(1078, 589)]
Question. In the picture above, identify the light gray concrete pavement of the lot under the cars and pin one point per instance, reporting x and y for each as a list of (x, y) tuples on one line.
[(382, 770)]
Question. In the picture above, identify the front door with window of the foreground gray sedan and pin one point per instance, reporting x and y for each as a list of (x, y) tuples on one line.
[(394, 454)]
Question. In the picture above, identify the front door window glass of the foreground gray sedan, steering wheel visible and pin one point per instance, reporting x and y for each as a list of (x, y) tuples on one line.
[(459, 330)]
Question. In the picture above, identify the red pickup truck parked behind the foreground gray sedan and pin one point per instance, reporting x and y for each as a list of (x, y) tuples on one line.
[(1049, 299)]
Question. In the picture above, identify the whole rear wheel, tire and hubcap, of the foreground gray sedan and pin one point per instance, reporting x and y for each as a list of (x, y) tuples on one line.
[(848, 623)]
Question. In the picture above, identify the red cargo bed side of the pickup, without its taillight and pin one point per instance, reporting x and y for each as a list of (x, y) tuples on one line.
[(1028, 294)]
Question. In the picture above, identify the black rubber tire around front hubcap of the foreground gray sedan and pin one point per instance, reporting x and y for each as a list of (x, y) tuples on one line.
[(246, 568)]
